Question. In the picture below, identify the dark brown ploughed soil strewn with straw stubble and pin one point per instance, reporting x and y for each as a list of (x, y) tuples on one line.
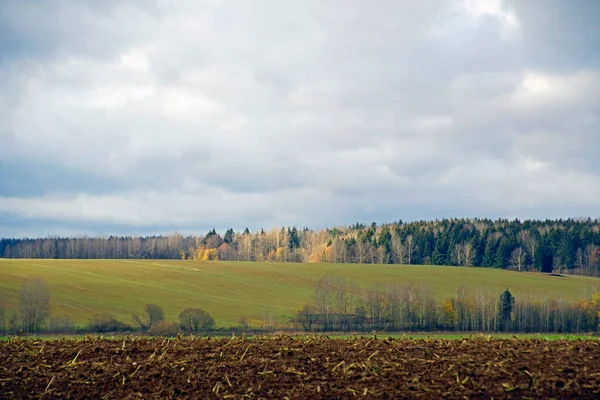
[(304, 368)]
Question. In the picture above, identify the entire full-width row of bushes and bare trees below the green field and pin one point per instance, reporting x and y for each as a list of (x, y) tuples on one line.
[(340, 306)]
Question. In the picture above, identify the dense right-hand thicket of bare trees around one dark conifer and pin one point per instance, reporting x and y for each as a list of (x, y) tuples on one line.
[(339, 305)]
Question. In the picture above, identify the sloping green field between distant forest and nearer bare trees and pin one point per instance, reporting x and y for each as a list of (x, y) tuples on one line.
[(258, 291)]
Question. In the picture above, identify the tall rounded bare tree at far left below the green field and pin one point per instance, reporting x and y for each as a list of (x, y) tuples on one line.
[(34, 304)]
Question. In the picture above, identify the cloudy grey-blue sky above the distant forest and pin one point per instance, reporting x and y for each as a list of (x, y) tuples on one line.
[(149, 117)]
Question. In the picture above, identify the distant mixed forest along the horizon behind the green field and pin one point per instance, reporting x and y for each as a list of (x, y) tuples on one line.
[(569, 246)]
